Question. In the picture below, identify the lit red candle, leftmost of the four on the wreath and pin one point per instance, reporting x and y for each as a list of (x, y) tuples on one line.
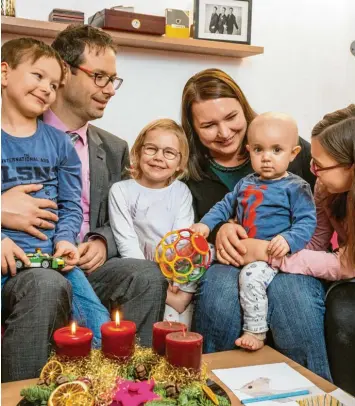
[(73, 341)]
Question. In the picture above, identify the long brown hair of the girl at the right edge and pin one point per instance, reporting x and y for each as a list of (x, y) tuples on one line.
[(336, 134)]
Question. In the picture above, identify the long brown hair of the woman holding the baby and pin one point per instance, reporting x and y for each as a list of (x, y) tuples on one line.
[(208, 85)]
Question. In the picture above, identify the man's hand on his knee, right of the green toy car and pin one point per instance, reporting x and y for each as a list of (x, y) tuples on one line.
[(93, 254)]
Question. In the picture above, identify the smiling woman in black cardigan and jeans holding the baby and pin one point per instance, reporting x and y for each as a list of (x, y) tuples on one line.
[(215, 117)]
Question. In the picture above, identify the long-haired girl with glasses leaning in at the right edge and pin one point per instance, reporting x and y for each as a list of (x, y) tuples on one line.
[(333, 162)]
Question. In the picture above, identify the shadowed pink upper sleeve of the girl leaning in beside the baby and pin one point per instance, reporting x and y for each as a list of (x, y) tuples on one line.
[(324, 230)]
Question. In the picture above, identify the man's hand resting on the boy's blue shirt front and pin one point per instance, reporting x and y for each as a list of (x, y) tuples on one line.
[(22, 212)]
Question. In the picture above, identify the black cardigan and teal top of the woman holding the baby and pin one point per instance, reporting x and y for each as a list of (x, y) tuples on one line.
[(215, 185)]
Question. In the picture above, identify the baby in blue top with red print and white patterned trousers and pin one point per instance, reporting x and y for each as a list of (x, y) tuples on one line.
[(271, 204)]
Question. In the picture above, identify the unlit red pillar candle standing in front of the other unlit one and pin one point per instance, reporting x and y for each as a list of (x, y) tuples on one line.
[(184, 349)]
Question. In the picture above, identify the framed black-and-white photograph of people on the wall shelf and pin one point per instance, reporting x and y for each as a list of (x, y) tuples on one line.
[(223, 20)]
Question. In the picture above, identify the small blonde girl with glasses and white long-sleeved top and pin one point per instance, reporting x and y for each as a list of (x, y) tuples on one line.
[(143, 209)]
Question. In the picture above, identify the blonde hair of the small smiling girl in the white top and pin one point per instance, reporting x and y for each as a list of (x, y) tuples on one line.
[(164, 124)]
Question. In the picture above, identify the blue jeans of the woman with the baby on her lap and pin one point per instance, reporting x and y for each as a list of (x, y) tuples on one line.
[(295, 315)]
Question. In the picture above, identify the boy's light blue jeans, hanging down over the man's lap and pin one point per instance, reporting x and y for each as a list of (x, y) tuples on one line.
[(87, 310)]
